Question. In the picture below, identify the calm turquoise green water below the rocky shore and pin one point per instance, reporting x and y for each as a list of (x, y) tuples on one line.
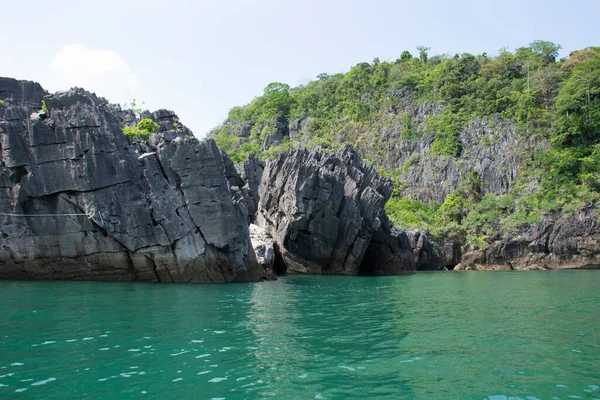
[(454, 335)]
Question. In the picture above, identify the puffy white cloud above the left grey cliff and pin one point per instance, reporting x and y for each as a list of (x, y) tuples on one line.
[(101, 71)]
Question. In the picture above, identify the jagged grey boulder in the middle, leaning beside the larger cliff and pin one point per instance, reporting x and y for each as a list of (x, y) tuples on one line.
[(325, 212)]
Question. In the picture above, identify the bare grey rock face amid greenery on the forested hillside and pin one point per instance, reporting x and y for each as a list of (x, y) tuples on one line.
[(492, 151)]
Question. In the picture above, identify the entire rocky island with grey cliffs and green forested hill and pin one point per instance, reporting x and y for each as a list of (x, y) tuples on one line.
[(423, 163)]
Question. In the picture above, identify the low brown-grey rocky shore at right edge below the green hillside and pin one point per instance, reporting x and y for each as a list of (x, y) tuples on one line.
[(554, 243)]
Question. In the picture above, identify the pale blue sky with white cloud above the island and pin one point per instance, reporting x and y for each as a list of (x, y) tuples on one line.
[(201, 58)]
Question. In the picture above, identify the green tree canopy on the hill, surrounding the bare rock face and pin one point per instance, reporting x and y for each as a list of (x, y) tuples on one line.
[(545, 97)]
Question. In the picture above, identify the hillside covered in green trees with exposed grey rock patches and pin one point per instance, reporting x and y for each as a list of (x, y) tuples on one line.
[(478, 147)]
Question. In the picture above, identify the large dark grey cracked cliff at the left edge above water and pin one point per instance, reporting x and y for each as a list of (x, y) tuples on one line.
[(80, 201)]
